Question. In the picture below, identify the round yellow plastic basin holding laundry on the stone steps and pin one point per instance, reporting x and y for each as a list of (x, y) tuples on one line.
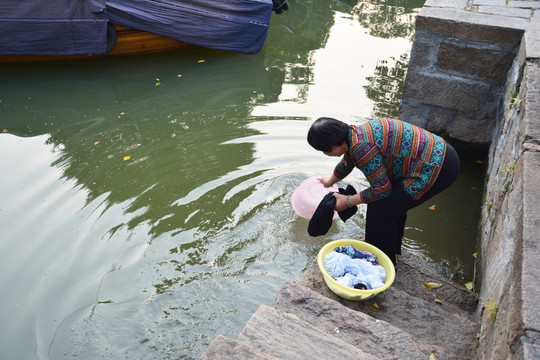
[(351, 293)]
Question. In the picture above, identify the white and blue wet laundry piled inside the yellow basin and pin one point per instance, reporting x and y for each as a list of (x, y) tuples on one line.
[(354, 272)]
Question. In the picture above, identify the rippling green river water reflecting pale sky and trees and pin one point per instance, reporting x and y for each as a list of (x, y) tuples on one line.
[(146, 200)]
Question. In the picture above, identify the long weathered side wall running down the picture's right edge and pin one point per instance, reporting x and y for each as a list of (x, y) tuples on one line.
[(510, 240)]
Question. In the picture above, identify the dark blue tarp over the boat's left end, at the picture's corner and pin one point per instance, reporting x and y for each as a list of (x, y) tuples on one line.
[(52, 27)]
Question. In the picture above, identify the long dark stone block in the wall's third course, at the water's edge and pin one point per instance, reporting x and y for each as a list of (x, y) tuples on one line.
[(447, 92)]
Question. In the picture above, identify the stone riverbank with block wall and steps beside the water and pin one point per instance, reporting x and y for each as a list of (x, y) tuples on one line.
[(474, 77)]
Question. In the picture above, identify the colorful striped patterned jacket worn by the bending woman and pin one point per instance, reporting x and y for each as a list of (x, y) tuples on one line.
[(388, 150)]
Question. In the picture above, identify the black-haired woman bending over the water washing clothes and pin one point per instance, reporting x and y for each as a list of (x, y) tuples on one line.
[(404, 164)]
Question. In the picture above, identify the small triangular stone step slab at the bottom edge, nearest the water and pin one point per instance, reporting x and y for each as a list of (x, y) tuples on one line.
[(223, 348)]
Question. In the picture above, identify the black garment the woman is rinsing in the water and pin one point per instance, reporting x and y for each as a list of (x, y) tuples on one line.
[(321, 221)]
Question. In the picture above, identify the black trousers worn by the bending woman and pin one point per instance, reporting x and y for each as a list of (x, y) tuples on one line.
[(385, 219)]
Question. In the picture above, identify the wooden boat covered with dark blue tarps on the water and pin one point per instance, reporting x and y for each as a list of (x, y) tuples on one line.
[(33, 30)]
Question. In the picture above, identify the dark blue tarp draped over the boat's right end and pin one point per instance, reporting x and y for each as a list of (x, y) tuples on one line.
[(233, 25)]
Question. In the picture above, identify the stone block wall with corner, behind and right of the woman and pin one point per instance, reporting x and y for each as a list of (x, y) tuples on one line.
[(474, 76)]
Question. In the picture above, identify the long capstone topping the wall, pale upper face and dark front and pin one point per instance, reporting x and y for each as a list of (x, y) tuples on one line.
[(472, 26)]
